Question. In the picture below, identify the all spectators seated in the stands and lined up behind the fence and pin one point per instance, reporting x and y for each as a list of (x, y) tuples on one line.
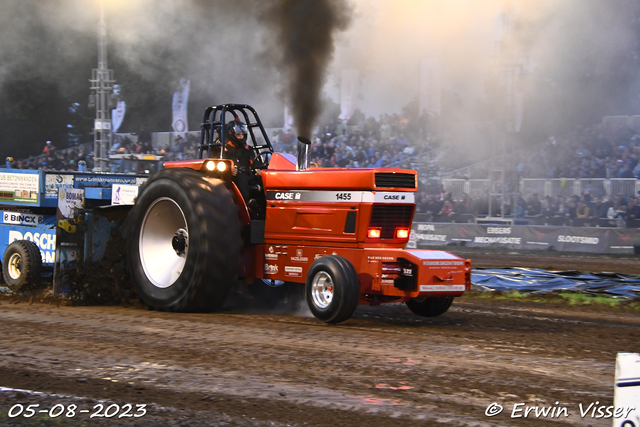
[(601, 151)]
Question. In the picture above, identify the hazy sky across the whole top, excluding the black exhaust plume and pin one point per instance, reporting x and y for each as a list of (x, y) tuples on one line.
[(581, 54)]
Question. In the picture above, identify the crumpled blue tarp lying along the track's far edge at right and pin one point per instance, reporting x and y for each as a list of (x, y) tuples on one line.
[(535, 280)]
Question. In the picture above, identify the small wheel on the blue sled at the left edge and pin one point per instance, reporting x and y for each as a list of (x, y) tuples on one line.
[(22, 266)]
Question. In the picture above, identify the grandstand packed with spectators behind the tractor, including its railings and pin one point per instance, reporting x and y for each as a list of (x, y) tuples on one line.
[(592, 166)]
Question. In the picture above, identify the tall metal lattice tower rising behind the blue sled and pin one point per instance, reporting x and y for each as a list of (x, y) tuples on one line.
[(102, 88)]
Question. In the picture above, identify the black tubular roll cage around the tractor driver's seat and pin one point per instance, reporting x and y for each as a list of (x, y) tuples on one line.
[(213, 135)]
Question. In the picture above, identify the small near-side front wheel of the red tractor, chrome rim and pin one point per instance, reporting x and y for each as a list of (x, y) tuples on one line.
[(332, 289)]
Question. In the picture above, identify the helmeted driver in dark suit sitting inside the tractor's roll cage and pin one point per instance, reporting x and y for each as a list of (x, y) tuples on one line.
[(244, 161)]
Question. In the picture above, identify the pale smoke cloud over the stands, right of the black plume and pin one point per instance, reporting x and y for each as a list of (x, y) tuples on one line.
[(575, 62)]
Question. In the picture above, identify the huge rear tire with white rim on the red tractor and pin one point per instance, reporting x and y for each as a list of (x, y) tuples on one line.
[(183, 242)]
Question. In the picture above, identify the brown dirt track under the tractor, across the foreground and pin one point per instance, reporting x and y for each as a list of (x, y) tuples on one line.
[(383, 367)]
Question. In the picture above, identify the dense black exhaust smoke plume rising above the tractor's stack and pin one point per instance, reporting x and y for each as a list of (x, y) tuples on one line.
[(302, 48)]
